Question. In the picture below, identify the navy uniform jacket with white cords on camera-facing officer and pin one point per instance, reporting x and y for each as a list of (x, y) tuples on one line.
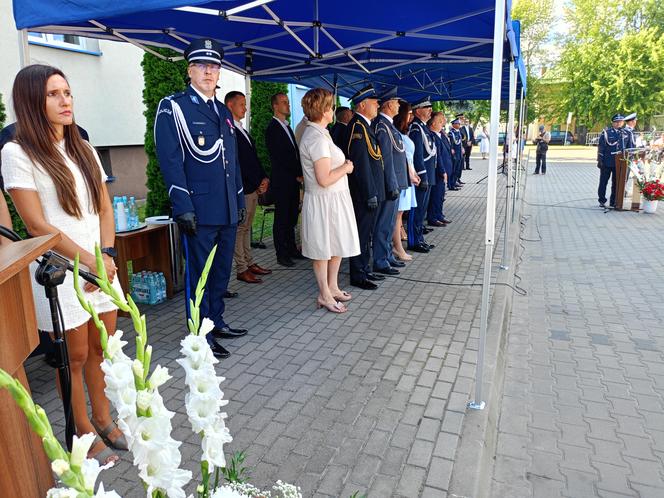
[(201, 169)]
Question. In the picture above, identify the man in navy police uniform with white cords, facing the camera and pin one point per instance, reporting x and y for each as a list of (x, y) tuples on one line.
[(197, 152)]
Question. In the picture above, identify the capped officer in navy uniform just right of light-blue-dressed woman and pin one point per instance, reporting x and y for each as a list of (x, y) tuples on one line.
[(424, 160)]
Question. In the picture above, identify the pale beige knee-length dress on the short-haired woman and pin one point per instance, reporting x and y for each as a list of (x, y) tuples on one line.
[(328, 220)]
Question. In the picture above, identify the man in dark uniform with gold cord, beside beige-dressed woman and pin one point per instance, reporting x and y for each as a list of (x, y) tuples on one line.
[(366, 182)]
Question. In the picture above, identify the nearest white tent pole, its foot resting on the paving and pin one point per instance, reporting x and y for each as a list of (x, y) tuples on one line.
[(498, 39)]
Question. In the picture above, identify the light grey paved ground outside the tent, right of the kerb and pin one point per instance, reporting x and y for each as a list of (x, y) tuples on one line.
[(583, 408)]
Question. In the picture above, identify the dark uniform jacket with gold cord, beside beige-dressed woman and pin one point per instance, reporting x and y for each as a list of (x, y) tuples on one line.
[(367, 179)]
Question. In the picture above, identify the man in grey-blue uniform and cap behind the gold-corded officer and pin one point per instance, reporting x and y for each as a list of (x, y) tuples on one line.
[(395, 163)]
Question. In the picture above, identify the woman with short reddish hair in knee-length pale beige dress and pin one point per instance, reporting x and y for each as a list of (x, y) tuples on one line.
[(329, 230)]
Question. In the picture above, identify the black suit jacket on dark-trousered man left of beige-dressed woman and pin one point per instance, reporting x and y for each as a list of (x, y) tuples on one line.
[(284, 156)]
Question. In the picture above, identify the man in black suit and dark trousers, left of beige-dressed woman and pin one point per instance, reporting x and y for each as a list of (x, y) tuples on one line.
[(285, 181)]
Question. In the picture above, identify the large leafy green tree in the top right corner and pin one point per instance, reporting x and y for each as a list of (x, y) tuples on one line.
[(613, 59)]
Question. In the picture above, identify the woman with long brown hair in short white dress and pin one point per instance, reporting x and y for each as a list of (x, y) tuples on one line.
[(57, 184)]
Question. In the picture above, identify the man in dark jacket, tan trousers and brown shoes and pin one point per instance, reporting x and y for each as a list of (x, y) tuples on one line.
[(254, 181)]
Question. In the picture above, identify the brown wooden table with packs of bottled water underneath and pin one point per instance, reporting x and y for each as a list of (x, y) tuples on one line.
[(143, 254)]
